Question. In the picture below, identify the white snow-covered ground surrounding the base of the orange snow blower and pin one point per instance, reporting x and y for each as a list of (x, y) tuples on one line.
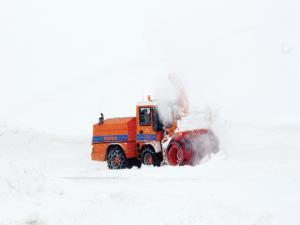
[(50, 180)]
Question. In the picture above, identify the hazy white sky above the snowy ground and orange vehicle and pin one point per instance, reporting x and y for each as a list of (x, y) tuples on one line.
[(63, 62)]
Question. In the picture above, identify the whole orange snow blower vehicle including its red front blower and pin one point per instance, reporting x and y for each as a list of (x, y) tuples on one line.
[(146, 139)]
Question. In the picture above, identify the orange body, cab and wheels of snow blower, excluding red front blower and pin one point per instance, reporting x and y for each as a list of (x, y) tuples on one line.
[(128, 142)]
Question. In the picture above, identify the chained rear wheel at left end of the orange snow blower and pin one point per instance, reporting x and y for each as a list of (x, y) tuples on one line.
[(116, 158)]
